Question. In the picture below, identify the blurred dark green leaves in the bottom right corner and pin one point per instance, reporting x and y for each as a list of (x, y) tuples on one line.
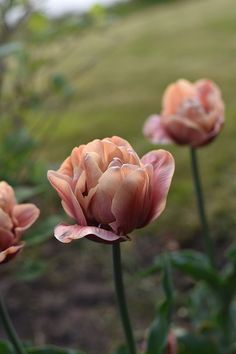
[(210, 303)]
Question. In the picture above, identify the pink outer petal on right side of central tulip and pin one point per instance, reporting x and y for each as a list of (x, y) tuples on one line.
[(163, 170)]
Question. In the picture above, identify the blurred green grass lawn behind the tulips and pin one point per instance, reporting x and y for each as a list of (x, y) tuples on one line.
[(119, 72)]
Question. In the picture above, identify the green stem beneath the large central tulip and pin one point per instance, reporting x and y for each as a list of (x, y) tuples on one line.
[(120, 293)]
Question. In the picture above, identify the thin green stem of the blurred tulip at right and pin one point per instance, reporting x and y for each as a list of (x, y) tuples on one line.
[(201, 207)]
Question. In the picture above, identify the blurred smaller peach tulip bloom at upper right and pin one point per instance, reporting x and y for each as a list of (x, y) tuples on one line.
[(192, 114)]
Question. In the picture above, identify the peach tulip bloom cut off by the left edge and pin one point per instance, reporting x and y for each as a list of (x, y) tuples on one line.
[(14, 220)]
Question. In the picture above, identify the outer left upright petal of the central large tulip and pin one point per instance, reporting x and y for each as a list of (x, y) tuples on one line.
[(70, 203)]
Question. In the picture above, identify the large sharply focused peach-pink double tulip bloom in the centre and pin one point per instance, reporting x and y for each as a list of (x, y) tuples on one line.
[(109, 191)]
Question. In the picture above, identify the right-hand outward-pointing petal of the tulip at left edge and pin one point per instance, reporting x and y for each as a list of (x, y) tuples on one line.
[(24, 215)]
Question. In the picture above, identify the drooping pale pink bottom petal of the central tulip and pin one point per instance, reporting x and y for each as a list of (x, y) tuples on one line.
[(68, 233)]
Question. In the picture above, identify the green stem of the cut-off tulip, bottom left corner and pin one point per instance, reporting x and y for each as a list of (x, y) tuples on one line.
[(6, 321)]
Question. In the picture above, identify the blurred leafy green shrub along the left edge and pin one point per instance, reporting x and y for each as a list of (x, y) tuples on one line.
[(22, 94)]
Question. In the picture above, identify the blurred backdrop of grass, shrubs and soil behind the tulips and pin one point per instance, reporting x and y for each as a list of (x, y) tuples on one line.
[(73, 71)]
